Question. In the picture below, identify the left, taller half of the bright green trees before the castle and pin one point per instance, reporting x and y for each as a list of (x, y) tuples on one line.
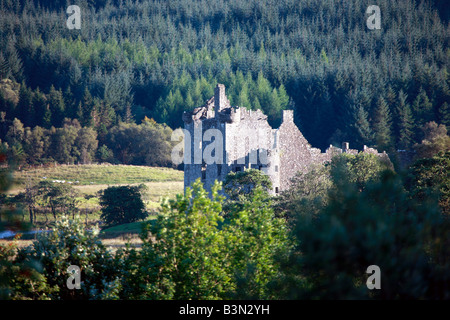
[(183, 253)]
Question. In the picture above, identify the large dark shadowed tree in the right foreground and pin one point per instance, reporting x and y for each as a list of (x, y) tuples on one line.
[(380, 225)]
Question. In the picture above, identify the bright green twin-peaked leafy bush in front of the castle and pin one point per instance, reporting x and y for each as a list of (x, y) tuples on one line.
[(192, 252)]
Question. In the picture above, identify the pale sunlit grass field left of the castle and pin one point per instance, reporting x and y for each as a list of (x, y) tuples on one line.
[(89, 179)]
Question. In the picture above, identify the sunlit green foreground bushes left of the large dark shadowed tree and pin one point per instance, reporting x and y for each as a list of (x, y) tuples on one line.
[(189, 252)]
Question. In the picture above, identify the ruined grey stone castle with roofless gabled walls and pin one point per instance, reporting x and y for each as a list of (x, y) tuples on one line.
[(244, 139)]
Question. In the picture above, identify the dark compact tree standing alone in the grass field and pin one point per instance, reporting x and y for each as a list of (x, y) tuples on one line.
[(122, 204)]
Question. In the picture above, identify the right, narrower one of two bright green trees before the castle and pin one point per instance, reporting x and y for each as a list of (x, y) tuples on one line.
[(257, 241)]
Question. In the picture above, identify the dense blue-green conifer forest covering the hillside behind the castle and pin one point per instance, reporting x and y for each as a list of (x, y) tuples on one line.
[(154, 59)]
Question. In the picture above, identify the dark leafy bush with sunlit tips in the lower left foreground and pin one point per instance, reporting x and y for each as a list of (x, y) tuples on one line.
[(52, 253)]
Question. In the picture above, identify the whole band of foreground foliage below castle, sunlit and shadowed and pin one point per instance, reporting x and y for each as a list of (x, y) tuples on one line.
[(193, 251)]
